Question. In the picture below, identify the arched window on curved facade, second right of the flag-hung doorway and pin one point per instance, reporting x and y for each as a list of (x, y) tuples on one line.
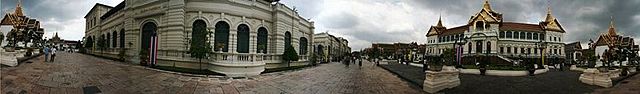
[(222, 37)]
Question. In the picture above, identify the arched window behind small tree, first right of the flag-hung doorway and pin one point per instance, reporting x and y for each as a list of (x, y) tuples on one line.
[(198, 34)]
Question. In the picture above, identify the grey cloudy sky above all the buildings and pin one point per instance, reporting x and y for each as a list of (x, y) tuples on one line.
[(363, 22)]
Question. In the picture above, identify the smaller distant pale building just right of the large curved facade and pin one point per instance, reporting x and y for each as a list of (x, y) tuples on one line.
[(329, 47)]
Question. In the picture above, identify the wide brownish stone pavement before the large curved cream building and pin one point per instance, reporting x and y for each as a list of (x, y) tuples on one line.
[(74, 73)]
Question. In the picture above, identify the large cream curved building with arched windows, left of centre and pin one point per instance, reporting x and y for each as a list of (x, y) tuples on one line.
[(246, 36)]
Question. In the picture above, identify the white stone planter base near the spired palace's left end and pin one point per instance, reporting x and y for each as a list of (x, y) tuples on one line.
[(436, 81)]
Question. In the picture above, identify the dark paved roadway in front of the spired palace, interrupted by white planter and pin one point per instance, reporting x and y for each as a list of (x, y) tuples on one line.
[(552, 82)]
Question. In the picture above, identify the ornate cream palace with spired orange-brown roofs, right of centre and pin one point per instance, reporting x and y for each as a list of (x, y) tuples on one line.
[(487, 35)]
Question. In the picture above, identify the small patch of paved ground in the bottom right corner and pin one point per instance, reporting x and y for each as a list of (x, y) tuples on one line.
[(630, 85)]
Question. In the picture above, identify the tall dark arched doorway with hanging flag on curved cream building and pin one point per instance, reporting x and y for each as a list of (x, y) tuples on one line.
[(148, 44)]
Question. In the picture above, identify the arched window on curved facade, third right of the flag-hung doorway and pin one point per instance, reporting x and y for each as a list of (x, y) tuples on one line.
[(243, 39)]
